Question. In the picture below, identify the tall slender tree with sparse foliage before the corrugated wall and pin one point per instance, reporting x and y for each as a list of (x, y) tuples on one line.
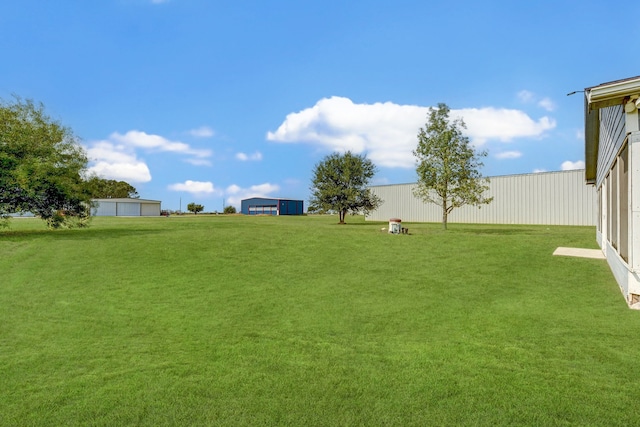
[(447, 165)]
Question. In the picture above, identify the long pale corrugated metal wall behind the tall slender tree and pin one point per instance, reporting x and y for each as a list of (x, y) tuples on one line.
[(552, 198)]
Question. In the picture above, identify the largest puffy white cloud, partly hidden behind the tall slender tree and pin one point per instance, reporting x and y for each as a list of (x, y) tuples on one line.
[(387, 131)]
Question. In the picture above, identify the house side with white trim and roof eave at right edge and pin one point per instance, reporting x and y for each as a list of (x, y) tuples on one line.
[(617, 164)]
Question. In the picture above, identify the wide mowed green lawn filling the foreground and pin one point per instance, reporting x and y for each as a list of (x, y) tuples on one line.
[(235, 320)]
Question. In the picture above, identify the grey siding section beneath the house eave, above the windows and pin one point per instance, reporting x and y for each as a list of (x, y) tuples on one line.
[(612, 136)]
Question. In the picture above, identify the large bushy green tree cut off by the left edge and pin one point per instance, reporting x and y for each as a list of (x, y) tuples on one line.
[(41, 166)]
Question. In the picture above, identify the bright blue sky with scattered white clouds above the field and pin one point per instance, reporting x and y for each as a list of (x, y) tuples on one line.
[(213, 101)]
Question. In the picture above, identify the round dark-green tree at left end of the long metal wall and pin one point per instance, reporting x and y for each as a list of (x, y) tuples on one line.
[(340, 185)]
